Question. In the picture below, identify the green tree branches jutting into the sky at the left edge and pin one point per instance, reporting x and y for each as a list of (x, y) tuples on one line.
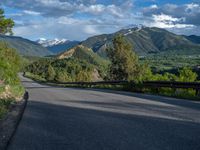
[(6, 25)]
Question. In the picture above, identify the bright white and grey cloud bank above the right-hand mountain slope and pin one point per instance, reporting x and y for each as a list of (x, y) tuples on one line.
[(181, 19)]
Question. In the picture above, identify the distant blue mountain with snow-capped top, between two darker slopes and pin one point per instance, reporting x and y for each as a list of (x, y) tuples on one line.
[(57, 45)]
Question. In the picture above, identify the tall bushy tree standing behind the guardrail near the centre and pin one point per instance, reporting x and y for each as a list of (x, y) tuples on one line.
[(124, 62)]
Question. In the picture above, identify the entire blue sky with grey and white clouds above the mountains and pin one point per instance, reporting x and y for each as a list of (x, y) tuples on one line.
[(80, 19)]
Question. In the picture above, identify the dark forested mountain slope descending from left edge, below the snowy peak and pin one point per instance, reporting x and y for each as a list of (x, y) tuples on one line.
[(25, 47)]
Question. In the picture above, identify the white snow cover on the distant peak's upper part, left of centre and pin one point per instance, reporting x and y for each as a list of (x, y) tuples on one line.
[(48, 43)]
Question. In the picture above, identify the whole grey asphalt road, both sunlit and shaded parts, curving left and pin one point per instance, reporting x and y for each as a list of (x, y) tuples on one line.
[(87, 119)]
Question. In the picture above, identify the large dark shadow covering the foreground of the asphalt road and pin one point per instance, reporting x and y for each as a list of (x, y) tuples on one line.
[(48, 126)]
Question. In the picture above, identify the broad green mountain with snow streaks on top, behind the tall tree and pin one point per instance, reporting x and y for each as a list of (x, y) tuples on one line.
[(145, 40)]
